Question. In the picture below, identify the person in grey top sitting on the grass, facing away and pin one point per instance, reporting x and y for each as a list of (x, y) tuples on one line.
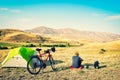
[(76, 61)]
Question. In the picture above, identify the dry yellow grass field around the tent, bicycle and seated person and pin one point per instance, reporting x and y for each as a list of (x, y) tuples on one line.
[(109, 63)]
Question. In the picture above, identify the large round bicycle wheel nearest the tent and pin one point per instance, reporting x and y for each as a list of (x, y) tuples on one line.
[(34, 65)]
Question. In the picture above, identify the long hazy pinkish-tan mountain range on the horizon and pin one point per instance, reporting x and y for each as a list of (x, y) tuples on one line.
[(76, 34)]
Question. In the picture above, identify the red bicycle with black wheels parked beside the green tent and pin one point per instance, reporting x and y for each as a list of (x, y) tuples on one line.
[(36, 68)]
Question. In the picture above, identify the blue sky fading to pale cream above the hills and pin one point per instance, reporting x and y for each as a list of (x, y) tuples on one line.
[(88, 15)]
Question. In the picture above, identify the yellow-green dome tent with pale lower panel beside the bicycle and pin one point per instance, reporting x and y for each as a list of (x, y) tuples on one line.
[(18, 57)]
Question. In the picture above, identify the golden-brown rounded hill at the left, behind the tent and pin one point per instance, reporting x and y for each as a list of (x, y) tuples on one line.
[(13, 35)]
